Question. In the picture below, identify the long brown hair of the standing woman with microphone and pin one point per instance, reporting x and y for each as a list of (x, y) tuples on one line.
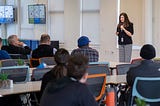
[(126, 20)]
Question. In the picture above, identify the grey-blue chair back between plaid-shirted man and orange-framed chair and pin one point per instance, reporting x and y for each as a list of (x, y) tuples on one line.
[(98, 68)]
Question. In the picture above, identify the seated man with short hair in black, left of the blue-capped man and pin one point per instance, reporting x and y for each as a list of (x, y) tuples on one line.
[(44, 49)]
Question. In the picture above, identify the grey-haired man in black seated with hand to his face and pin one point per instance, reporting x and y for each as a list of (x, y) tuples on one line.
[(16, 47)]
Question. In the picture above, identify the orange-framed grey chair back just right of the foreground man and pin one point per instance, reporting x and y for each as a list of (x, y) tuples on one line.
[(96, 84)]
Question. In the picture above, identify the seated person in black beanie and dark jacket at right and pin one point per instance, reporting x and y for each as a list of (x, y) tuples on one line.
[(147, 67)]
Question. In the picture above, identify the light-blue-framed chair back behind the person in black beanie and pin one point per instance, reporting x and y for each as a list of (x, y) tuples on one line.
[(147, 89)]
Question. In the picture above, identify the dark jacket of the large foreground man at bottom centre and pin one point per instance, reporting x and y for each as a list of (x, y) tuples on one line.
[(66, 92)]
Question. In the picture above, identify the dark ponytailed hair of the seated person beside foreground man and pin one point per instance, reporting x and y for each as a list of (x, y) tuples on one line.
[(61, 58)]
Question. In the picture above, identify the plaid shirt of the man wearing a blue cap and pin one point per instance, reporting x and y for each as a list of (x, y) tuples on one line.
[(92, 54)]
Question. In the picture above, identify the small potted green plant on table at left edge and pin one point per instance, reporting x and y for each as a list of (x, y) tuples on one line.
[(4, 81)]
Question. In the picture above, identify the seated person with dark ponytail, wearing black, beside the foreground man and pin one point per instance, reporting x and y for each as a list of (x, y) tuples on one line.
[(59, 71)]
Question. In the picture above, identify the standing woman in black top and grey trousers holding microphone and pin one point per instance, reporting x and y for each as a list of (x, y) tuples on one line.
[(124, 32)]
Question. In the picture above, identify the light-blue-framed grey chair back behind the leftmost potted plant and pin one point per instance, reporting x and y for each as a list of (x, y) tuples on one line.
[(16, 73)]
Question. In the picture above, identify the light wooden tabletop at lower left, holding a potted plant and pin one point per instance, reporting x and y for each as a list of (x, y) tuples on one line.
[(22, 88)]
